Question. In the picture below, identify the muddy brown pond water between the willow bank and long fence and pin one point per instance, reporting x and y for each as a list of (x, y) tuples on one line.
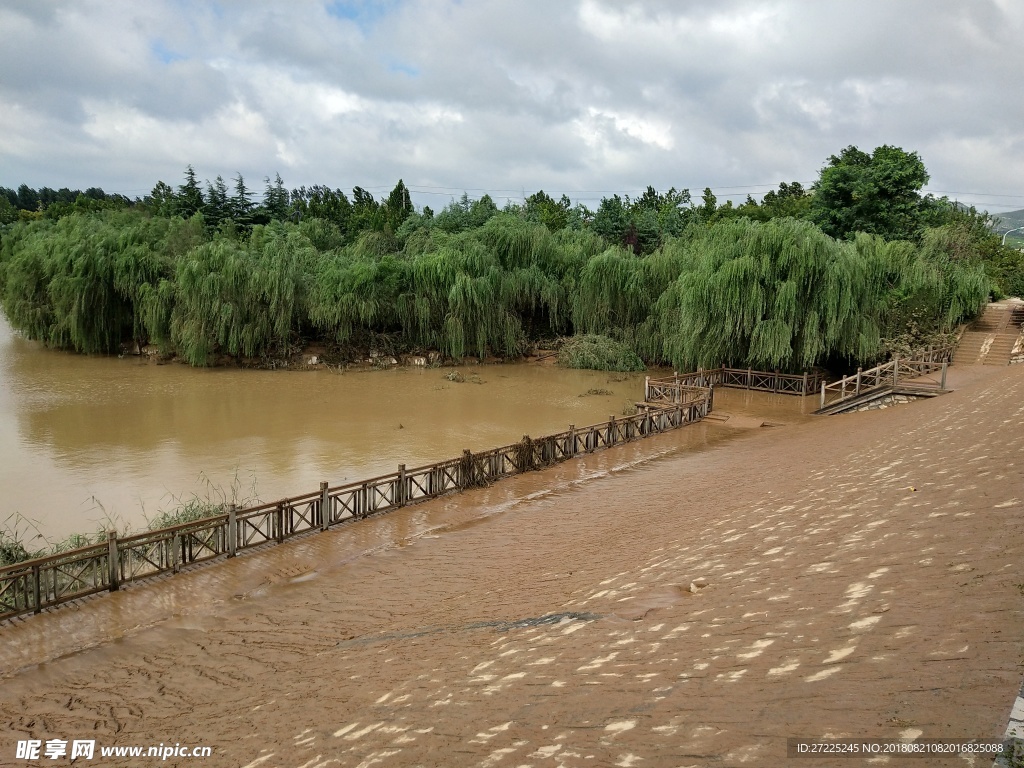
[(90, 441)]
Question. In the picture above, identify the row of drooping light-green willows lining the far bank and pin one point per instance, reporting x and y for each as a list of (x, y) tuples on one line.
[(778, 294)]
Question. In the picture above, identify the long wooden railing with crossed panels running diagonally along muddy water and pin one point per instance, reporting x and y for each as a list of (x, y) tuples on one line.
[(34, 585)]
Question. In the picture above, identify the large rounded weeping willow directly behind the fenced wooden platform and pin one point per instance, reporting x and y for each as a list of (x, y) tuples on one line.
[(774, 295)]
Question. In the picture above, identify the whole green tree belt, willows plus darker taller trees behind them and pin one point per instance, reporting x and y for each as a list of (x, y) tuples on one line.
[(803, 278)]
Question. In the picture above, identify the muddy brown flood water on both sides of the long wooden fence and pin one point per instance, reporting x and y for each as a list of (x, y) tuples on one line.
[(77, 433)]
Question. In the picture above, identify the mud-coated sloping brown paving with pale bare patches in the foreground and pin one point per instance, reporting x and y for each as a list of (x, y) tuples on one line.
[(857, 576)]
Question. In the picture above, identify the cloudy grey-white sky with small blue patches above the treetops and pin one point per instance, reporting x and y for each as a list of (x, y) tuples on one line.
[(585, 98)]
